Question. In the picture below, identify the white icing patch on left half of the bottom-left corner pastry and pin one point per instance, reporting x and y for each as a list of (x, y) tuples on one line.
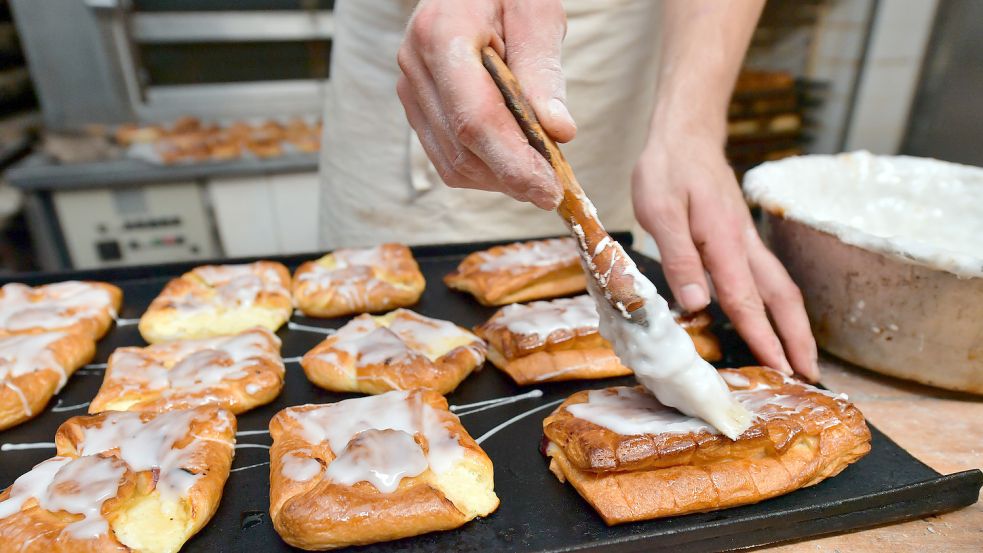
[(78, 486)]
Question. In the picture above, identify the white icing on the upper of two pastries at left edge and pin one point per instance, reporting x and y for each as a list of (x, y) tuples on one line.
[(52, 306)]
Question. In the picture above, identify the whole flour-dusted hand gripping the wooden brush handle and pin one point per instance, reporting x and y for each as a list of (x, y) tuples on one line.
[(455, 107)]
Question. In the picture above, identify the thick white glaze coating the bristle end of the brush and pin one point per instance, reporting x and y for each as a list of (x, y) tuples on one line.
[(660, 353)]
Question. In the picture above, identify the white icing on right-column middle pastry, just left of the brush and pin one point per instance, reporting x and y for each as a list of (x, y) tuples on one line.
[(542, 318)]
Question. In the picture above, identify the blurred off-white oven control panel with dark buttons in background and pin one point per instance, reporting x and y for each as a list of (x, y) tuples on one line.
[(137, 225)]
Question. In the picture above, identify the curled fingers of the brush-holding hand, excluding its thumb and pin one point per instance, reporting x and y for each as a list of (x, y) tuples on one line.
[(472, 133)]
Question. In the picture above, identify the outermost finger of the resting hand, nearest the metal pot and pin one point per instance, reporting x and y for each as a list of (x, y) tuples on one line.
[(784, 302)]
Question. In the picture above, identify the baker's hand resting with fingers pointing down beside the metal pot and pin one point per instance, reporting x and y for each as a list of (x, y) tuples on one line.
[(686, 196)]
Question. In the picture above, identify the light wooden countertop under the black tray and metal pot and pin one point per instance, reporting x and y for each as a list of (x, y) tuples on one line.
[(942, 429)]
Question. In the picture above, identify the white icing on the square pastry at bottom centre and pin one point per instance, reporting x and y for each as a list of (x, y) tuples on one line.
[(383, 459)]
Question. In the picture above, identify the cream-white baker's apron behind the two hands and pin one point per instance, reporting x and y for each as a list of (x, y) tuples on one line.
[(377, 184)]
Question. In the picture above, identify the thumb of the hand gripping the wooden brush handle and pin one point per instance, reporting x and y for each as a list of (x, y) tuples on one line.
[(533, 38)]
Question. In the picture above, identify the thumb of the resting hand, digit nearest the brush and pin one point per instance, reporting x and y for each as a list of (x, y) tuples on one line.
[(667, 220)]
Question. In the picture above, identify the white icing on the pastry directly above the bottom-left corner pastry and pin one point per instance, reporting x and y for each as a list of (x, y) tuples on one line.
[(188, 366)]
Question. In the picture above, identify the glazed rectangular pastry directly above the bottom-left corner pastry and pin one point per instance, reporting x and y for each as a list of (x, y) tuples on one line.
[(236, 372)]
